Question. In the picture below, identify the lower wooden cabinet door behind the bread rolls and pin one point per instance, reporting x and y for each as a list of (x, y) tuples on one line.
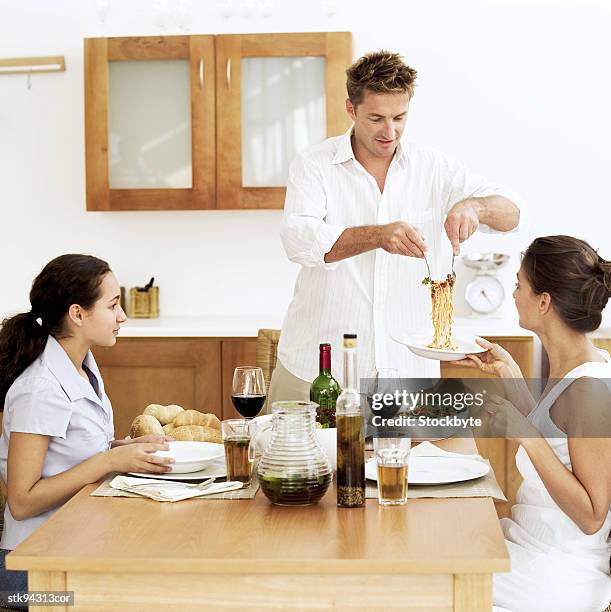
[(142, 371)]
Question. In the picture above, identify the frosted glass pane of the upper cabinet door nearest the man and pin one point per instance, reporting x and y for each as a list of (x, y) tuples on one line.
[(283, 112)]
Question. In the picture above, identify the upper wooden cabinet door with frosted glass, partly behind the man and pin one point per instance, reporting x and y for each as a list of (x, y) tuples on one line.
[(276, 95)]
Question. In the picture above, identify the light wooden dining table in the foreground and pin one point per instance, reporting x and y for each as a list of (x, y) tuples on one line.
[(138, 554)]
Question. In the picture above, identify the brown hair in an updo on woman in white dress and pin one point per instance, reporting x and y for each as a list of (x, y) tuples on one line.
[(573, 273)]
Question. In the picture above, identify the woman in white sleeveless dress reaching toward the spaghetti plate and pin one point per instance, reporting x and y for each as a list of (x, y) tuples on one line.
[(559, 533)]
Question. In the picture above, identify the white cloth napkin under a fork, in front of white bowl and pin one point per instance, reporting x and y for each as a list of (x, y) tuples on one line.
[(169, 490)]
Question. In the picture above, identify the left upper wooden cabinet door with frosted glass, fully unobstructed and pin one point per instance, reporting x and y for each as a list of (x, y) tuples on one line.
[(150, 123)]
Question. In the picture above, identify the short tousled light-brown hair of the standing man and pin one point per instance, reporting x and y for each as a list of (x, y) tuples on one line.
[(379, 72)]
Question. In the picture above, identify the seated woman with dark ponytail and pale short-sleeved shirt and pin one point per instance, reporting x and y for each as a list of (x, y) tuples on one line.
[(57, 433)]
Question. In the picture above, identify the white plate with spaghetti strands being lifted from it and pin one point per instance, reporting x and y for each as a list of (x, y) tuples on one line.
[(442, 346)]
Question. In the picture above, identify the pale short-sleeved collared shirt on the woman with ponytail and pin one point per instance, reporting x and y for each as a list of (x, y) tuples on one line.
[(52, 399)]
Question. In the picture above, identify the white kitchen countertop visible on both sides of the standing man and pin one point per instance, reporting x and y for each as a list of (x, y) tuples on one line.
[(247, 326)]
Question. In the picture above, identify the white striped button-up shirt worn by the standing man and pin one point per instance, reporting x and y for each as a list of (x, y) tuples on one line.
[(375, 295)]
